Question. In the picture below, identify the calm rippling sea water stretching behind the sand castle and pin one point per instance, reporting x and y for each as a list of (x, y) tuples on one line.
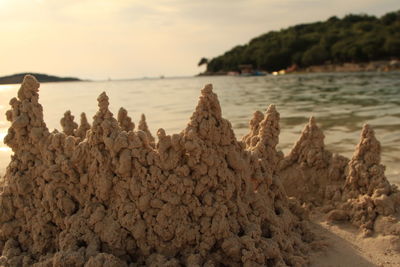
[(341, 103)]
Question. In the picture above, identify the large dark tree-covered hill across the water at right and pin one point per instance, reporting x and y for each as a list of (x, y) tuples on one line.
[(352, 39)]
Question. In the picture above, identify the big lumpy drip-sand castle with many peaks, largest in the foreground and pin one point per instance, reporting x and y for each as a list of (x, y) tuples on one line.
[(116, 197)]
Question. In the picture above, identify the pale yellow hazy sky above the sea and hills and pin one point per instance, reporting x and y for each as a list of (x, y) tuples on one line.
[(122, 39)]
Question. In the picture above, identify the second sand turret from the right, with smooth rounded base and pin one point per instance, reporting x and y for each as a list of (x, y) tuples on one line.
[(311, 173)]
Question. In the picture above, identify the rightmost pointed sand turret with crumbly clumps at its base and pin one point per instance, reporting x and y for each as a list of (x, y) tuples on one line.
[(368, 198)]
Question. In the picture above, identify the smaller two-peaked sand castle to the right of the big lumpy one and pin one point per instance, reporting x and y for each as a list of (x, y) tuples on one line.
[(353, 190)]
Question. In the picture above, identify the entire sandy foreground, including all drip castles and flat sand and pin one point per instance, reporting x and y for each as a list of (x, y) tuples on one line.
[(108, 195)]
